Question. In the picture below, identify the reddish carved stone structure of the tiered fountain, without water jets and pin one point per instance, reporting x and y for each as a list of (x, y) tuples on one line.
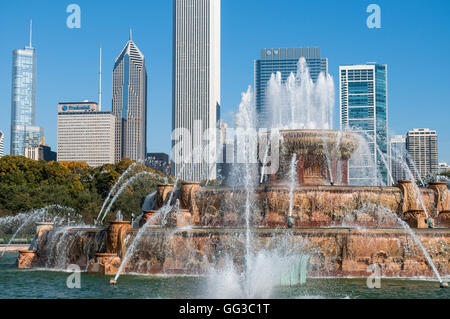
[(344, 229)]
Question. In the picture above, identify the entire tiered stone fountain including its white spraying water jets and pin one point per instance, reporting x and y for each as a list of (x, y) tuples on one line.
[(303, 221)]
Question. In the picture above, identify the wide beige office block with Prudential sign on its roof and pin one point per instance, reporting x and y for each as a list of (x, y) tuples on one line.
[(85, 134)]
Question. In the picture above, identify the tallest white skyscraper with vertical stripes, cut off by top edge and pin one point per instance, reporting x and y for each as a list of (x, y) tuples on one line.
[(196, 87)]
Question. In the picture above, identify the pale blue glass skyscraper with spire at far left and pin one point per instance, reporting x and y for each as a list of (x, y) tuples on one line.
[(24, 132)]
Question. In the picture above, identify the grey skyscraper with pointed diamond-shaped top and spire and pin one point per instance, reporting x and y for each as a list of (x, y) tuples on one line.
[(129, 103)]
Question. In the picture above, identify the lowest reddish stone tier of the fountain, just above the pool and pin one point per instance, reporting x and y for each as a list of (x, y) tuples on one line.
[(336, 252)]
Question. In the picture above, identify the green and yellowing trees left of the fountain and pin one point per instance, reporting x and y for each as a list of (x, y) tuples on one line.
[(26, 185)]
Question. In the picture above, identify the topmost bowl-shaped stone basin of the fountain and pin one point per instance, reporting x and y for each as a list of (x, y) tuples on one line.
[(322, 155)]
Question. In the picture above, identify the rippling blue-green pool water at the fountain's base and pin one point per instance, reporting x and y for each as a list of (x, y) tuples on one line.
[(16, 283)]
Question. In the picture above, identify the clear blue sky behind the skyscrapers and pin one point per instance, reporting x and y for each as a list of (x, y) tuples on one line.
[(414, 41)]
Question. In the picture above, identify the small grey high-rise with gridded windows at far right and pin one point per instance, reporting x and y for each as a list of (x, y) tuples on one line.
[(423, 149)]
